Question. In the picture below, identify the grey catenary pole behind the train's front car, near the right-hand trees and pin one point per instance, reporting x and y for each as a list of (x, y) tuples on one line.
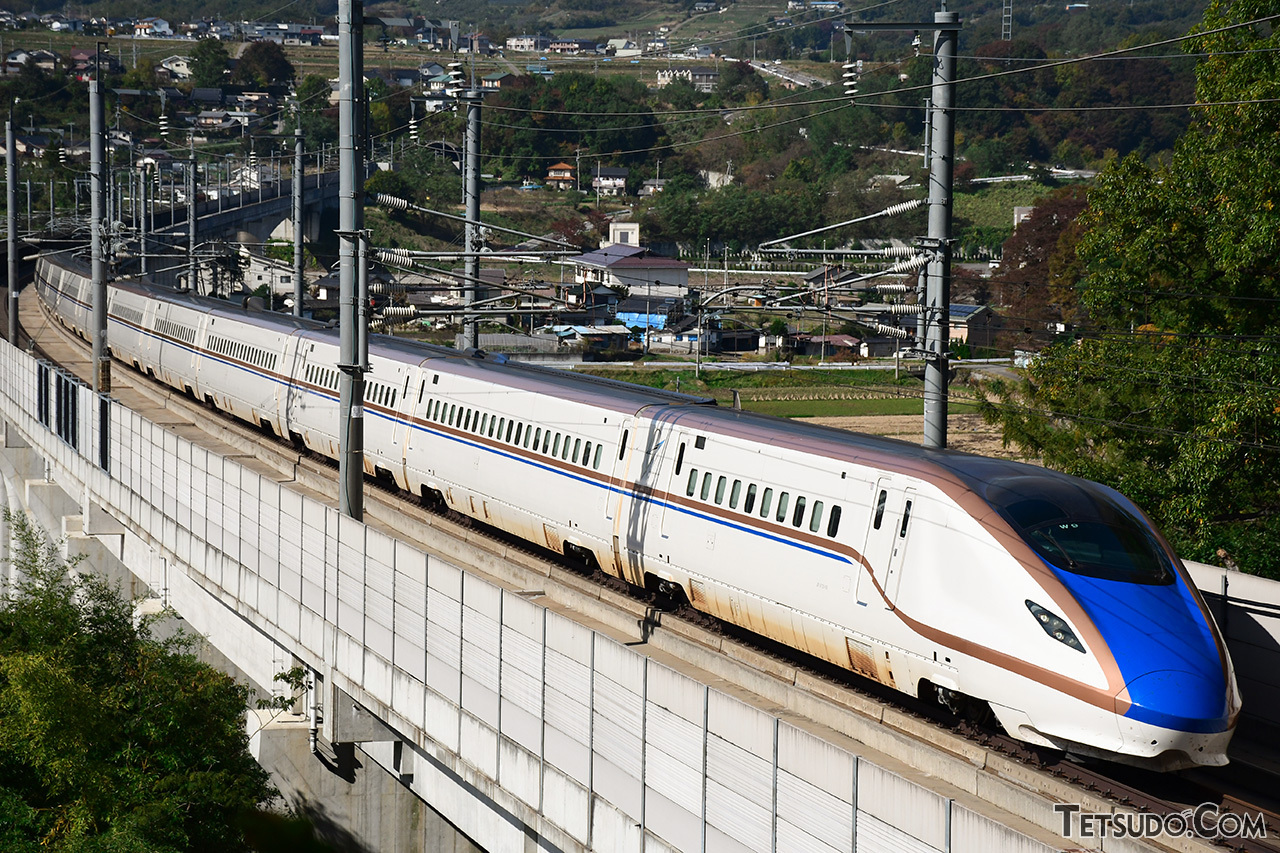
[(939, 288)]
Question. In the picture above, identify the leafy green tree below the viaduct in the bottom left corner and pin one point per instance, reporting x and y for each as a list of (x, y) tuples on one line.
[(112, 740)]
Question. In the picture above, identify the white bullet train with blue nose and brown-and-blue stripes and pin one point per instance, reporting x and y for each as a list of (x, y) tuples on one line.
[(1049, 599)]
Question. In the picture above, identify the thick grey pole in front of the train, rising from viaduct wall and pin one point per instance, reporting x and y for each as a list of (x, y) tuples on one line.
[(351, 216)]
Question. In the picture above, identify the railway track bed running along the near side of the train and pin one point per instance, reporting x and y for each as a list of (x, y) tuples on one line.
[(1146, 793)]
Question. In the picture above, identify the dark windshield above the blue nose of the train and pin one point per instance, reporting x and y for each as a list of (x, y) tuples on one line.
[(1087, 533)]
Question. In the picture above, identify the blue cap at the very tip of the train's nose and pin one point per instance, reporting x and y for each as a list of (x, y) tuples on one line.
[(1177, 700)]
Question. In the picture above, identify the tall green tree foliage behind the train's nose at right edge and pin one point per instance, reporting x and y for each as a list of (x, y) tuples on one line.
[(1172, 391)]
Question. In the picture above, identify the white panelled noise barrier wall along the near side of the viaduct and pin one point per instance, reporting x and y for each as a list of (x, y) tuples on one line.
[(514, 722)]
